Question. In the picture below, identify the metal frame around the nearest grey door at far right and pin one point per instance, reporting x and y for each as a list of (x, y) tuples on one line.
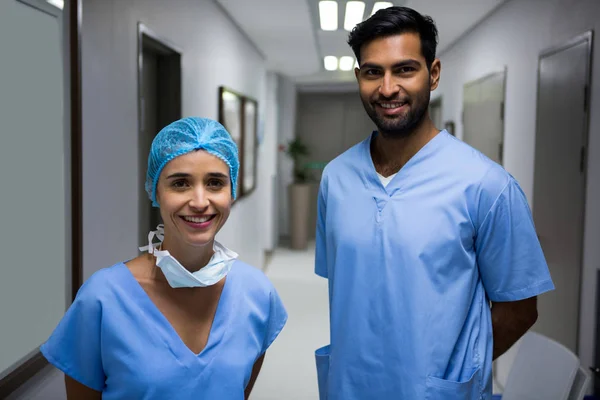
[(586, 37)]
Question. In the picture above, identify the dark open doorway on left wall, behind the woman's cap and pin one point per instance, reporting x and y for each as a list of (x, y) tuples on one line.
[(159, 93)]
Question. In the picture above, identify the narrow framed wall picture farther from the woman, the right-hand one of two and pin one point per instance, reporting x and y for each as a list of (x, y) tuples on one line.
[(250, 145)]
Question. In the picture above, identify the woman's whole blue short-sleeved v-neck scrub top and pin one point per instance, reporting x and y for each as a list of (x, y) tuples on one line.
[(115, 340)]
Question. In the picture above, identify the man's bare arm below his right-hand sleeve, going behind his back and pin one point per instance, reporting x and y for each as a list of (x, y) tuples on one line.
[(510, 321)]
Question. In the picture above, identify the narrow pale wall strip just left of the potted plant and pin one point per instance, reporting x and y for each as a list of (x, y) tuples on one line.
[(286, 93)]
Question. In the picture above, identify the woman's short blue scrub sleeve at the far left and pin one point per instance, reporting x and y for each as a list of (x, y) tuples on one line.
[(74, 346)]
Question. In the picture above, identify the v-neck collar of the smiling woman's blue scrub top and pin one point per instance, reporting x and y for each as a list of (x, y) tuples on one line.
[(170, 336)]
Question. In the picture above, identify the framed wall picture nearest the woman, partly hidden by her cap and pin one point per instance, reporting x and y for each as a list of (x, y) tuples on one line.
[(230, 116)]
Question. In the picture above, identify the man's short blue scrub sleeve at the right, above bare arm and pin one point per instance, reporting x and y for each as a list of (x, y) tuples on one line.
[(511, 262)]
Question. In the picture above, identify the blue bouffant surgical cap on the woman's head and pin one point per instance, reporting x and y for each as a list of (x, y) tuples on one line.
[(187, 135)]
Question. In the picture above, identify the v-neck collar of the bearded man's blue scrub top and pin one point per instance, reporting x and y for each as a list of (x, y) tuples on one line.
[(370, 177)]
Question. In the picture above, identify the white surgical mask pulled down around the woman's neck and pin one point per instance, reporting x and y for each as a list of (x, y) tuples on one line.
[(178, 276)]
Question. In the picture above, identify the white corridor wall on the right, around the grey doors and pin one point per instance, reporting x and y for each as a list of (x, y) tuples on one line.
[(514, 36)]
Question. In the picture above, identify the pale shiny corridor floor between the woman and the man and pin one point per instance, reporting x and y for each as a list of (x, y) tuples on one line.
[(289, 371)]
